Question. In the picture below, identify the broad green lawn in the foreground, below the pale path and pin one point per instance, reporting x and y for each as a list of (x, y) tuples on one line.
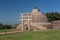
[(36, 35)]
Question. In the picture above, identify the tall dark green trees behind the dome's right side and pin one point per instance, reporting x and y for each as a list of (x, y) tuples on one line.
[(53, 16)]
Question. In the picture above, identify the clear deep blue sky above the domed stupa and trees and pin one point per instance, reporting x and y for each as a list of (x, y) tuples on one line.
[(10, 9)]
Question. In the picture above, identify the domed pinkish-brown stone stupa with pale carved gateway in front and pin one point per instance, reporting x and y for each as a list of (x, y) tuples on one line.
[(34, 20)]
